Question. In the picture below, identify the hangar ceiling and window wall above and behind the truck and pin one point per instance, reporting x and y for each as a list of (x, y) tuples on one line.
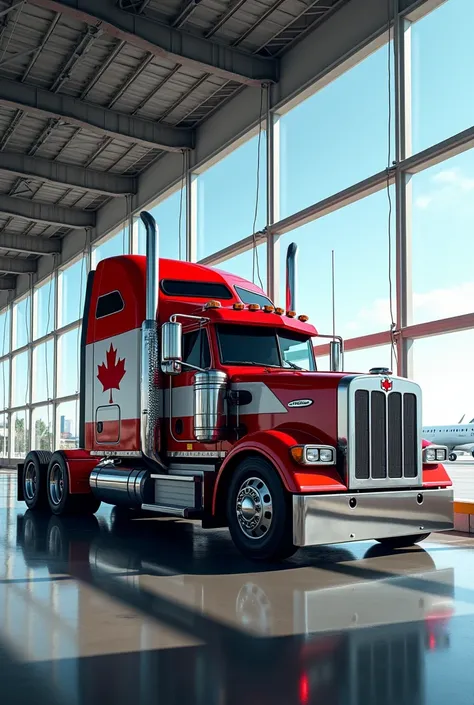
[(243, 126)]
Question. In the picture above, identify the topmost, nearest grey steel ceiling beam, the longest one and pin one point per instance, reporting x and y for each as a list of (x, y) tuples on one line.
[(167, 42)]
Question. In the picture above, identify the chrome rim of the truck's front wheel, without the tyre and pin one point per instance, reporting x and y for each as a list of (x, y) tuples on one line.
[(254, 508)]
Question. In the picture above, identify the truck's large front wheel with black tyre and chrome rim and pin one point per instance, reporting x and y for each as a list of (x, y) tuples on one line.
[(259, 512)]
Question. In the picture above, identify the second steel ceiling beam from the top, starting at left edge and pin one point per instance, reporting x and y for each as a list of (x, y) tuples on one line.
[(37, 101)]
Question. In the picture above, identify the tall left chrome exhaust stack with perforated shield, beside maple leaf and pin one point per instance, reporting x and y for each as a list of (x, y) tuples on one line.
[(150, 370)]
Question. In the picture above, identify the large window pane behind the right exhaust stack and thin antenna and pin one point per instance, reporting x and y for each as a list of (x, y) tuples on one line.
[(358, 234)]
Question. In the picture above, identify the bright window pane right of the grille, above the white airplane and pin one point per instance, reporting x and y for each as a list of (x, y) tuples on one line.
[(446, 397)]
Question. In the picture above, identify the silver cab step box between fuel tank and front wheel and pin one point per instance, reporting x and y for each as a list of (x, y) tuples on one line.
[(178, 495)]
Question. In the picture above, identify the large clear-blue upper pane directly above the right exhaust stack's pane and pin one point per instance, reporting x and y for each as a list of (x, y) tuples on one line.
[(338, 136)]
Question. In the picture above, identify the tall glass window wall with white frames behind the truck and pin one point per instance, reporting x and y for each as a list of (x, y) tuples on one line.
[(379, 180)]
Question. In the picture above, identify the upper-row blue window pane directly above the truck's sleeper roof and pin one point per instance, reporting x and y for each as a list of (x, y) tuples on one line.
[(227, 194)]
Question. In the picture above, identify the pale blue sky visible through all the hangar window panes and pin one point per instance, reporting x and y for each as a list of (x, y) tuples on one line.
[(335, 138)]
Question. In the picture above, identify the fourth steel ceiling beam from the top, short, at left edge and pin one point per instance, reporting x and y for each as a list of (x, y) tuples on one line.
[(46, 213)]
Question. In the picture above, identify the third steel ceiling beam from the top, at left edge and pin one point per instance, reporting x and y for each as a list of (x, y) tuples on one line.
[(63, 174)]
